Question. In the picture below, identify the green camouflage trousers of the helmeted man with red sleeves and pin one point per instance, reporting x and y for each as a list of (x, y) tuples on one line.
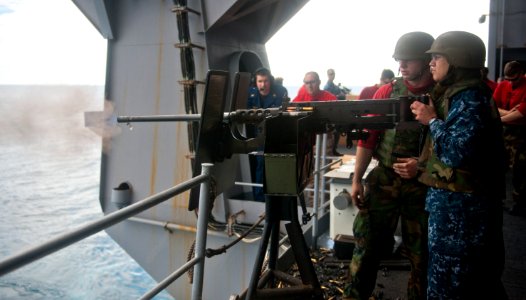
[(389, 198)]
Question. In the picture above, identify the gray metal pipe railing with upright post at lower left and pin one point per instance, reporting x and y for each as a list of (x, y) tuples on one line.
[(25, 257)]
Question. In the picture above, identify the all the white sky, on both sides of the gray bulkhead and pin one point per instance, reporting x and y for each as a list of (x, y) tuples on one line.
[(51, 42)]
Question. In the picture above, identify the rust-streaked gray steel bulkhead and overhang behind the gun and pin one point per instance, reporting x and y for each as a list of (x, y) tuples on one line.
[(143, 75)]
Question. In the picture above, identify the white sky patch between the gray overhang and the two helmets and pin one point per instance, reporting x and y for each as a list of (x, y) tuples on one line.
[(358, 39)]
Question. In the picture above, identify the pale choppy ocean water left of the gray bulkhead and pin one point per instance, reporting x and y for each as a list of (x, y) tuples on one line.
[(49, 184)]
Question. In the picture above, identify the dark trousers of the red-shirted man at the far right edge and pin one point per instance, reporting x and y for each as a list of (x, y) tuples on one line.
[(515, 141)]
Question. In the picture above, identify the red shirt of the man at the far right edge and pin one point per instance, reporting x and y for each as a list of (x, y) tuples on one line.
[(507, 97)]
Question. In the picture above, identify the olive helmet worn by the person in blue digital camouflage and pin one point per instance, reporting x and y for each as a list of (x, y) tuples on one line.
[(462, 49)]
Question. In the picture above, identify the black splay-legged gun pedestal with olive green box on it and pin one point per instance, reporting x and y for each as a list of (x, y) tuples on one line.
[(288, 163)]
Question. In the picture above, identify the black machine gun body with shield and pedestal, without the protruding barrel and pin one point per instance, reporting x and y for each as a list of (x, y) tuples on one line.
[(287, 139)]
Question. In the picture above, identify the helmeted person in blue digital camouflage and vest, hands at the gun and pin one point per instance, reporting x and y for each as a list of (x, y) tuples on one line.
[(464, 168)]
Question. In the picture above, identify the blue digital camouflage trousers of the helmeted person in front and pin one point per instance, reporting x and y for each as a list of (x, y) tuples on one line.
[(466, 248)]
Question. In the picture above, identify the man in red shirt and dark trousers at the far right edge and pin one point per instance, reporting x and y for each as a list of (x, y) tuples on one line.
[(510, 97)]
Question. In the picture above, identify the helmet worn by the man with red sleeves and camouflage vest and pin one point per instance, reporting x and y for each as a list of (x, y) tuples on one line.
[(413, 45)]
